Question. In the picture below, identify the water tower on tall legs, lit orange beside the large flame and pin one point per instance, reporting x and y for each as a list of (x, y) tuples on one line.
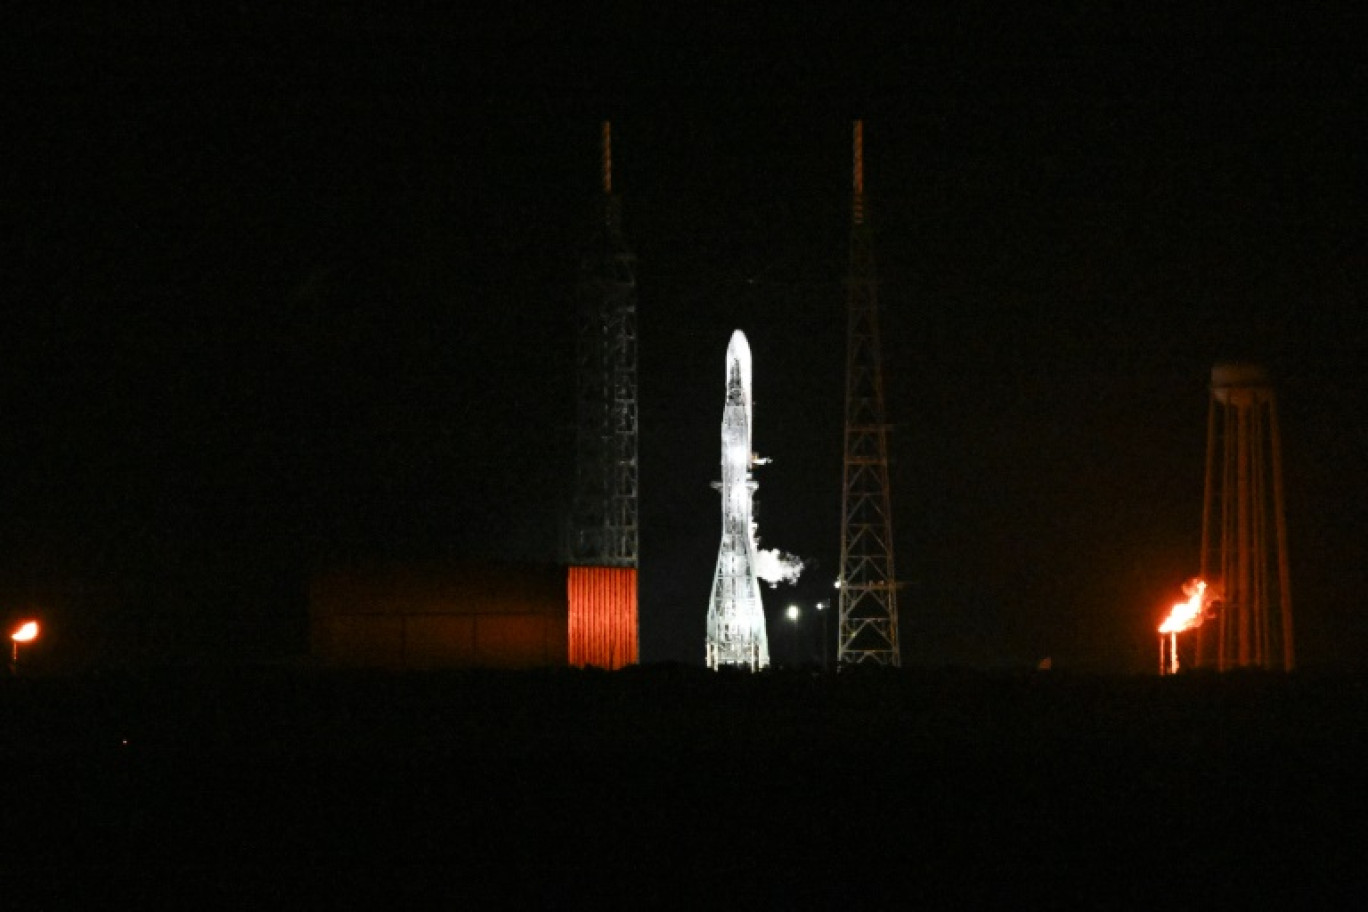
[(1244, 553)]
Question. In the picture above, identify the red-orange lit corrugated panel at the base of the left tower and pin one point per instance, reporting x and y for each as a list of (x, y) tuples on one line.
[(603, 626)]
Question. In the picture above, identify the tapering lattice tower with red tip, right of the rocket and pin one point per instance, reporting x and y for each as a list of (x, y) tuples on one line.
[(868, 580)]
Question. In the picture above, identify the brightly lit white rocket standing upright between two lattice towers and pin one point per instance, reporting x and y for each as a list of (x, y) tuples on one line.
[(735, 615)]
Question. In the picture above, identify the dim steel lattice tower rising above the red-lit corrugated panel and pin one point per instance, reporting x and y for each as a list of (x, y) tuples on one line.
[(604, 522)]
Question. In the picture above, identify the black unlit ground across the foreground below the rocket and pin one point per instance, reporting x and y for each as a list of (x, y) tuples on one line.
[(666, 786)]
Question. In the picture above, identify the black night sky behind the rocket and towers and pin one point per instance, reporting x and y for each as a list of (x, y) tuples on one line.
[(293, 291)]
